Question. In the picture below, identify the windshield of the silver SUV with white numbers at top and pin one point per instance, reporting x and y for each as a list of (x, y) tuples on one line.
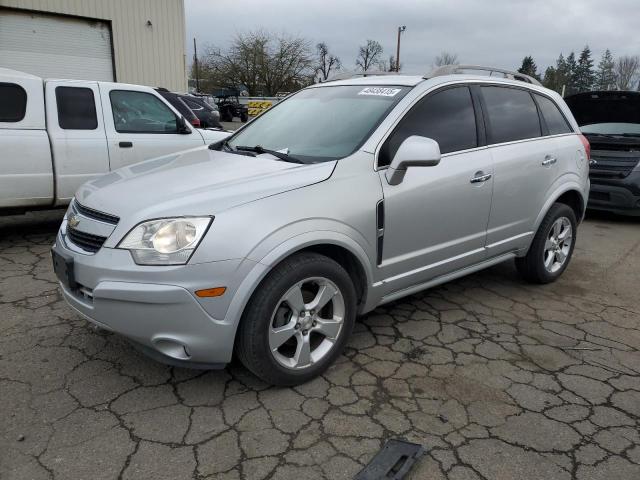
[(321, 124)]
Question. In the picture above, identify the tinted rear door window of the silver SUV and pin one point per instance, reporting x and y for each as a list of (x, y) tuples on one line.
[(512, 114)]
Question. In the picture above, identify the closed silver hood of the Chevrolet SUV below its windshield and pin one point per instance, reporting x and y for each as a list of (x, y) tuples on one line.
[(195, 182)]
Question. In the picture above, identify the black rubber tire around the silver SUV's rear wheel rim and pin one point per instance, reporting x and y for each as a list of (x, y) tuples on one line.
[(531, 267)]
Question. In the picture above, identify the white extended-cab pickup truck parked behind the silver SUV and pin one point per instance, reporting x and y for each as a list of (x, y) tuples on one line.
[(57, 134)]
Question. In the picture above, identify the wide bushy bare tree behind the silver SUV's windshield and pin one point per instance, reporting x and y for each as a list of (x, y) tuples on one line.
[(261, 61)]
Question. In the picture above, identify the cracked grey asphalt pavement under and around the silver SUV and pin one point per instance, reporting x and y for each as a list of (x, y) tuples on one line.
[(496, 378)]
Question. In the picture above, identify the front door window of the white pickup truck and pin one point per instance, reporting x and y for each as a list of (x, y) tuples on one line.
[(141, 112)]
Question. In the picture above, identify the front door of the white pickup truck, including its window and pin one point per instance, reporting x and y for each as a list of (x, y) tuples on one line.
[(140, 125)]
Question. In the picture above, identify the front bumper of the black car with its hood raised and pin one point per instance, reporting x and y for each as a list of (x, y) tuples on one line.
[(620, 196)]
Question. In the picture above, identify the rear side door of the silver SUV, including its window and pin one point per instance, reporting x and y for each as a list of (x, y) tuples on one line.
[(525, 163)]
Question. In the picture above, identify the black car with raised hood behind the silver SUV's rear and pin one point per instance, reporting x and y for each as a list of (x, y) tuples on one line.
[(611, 123)]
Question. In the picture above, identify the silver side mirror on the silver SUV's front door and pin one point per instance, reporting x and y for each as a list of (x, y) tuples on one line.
[(415, 151)]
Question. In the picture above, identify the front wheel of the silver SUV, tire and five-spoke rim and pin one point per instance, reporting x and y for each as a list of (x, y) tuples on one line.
[(298, 320)]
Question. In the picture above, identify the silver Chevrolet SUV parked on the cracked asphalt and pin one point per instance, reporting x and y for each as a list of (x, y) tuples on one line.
[(347, 195)]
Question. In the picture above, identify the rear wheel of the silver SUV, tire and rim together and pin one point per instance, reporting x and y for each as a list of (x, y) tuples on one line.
[(552, 246)]
